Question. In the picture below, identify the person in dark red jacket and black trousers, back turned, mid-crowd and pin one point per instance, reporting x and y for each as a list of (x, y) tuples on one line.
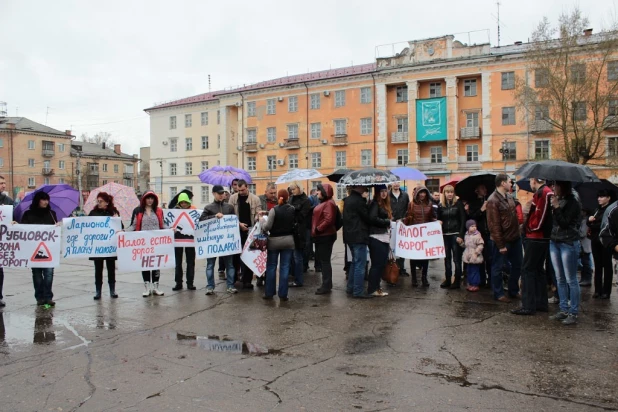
[(324, 234)]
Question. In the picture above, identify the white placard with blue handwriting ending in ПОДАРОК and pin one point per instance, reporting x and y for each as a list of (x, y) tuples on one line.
[(217, 237)]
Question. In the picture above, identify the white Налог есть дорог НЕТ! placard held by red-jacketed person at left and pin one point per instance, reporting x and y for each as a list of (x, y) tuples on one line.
[(146, 250)]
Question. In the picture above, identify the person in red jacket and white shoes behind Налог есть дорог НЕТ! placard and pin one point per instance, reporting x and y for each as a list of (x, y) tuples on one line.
[(149, 217)]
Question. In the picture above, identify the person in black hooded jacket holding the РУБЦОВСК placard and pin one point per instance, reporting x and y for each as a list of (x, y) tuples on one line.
[(40, 213)]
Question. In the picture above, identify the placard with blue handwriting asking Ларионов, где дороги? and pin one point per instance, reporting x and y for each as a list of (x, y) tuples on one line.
[(89, 236)]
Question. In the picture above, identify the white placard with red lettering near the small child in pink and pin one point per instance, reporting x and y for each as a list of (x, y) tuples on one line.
[(420, 242)]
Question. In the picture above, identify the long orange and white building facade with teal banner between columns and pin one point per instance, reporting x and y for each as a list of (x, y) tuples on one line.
[(446, 108)]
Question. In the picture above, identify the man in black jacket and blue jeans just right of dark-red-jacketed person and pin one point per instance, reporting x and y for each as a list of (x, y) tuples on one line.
[(356, 235)]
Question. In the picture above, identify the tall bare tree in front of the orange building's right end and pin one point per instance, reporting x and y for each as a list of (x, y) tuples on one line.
[(573, 89)]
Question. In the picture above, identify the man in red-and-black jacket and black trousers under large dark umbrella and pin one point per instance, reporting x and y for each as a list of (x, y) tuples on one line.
[(537, 230)]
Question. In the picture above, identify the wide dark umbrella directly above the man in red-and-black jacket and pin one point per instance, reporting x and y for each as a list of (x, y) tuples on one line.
[(557, 170)]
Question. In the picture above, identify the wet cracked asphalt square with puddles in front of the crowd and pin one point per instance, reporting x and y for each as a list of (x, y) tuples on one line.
[(417, 349)]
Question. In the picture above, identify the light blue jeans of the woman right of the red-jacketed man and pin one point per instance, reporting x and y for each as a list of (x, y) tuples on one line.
[(564, 259)]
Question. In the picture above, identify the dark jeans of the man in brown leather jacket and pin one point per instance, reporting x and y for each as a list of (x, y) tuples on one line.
[(514, 254)]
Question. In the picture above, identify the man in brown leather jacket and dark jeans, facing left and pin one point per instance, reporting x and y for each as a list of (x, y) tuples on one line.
[(505, 239)]
